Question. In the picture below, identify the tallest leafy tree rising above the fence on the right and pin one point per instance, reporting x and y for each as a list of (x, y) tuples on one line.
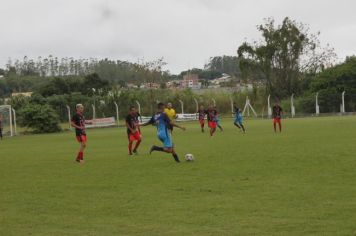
[(287, 52)]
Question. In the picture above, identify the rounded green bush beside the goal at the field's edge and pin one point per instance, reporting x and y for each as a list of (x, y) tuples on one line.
[(40, 118)]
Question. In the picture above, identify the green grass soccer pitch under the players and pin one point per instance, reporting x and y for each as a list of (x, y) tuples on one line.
[(300, 182)]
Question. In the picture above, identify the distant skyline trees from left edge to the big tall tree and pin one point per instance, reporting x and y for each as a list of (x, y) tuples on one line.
[(116, 70)]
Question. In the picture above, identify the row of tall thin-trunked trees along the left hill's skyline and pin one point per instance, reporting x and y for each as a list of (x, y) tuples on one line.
[(112, 70)]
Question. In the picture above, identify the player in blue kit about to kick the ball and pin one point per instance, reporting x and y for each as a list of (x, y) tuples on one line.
[(162, 122)]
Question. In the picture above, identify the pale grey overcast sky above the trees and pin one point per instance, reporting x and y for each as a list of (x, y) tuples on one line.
[(186, 33)]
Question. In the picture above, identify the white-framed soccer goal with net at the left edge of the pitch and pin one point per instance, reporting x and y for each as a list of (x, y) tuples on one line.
[(8, 120)]
